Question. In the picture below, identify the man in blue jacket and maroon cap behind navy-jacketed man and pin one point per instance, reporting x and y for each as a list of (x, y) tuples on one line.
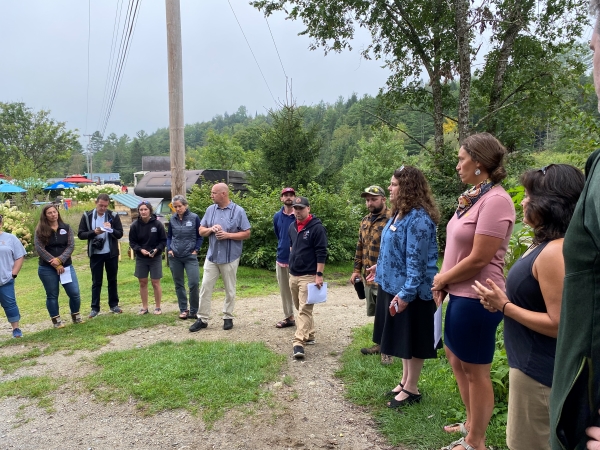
[(281, 224)]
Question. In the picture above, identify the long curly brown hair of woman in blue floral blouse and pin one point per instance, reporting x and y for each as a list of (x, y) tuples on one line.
[(414, 192)]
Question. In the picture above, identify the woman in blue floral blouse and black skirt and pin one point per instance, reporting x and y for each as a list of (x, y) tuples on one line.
[(405, 269)]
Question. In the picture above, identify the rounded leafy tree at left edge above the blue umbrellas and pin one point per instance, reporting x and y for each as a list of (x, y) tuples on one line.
[(33, 138)]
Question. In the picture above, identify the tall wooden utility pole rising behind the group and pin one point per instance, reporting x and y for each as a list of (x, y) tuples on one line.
[(176, 124)]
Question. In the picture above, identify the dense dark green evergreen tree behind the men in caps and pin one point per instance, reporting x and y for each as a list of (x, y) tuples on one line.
[(288, 151)]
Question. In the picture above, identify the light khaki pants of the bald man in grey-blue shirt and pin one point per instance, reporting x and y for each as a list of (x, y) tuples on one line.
[(211, 273)]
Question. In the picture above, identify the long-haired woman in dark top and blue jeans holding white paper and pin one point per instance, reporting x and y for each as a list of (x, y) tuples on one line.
[(54, 243)]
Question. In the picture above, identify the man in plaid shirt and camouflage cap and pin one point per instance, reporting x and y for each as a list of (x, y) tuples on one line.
[(367, 251)]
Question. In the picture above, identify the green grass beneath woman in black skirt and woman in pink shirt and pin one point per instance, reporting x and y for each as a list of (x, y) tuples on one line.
[(420, 426)]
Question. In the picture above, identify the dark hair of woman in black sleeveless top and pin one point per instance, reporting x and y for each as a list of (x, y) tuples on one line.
[(553, 192)]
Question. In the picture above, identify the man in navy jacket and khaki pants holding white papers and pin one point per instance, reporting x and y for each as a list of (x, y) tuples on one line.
[(308, 242)]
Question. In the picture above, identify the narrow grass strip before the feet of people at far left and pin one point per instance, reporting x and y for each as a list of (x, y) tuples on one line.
[(91, 335)]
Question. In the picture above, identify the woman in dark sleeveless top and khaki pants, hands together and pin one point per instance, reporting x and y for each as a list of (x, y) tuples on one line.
[(532, 303)]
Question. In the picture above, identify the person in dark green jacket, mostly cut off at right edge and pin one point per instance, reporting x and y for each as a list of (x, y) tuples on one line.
[(575, 395)]
